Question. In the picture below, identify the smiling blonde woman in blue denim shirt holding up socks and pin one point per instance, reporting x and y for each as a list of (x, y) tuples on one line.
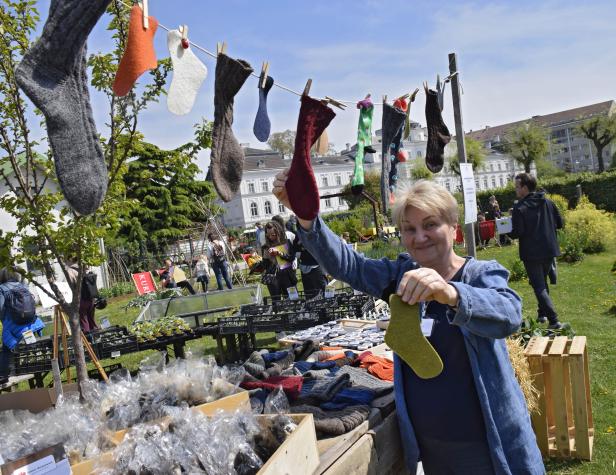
[(472, 418)]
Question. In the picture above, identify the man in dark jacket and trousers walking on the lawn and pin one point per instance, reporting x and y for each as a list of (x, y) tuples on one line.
[(535, 221)]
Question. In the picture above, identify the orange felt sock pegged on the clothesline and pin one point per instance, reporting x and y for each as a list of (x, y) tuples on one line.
[(139, 55)]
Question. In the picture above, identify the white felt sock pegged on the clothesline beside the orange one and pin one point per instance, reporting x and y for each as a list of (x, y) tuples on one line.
[(188, 75)]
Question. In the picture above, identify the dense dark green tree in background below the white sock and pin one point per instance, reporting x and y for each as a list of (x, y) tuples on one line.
[(162, 185)]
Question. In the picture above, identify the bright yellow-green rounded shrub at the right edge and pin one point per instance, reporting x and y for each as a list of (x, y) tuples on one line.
[(593, 227)]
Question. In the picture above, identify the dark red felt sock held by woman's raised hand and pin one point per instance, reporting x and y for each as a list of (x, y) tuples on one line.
[(302, 189)]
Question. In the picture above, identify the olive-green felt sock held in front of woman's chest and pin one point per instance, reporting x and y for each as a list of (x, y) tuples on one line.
[(404, 337)]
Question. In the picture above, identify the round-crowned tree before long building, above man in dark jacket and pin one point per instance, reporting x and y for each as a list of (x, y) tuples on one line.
[(527, 143)]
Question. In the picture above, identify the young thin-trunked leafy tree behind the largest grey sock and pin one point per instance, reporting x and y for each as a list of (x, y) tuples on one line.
[(48, 231)]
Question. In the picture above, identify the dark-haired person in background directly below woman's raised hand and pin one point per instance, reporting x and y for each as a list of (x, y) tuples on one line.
[(278, 252)]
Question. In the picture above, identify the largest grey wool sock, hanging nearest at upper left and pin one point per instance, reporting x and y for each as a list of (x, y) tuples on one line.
[(53, 75)]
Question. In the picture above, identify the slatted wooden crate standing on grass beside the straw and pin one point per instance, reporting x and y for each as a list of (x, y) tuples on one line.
[(563, 421)]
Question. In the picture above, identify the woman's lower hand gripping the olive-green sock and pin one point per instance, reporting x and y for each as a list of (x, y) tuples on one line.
[(425, 284)]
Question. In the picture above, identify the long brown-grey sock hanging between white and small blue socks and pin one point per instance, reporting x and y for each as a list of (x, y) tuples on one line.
[(227, 157)]
